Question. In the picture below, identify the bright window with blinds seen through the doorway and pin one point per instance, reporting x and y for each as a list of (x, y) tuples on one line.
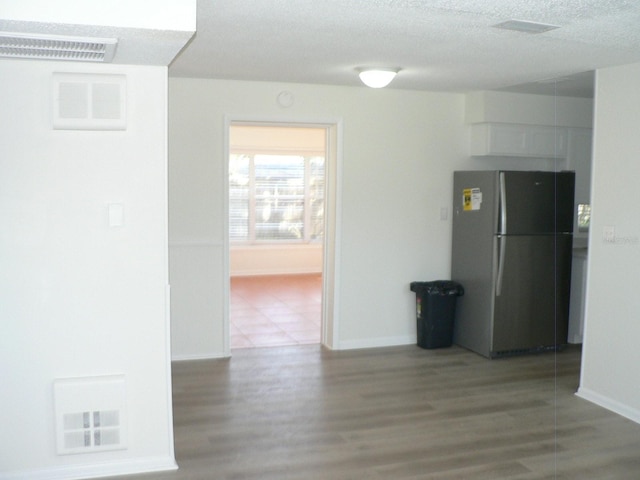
[(276, 198)]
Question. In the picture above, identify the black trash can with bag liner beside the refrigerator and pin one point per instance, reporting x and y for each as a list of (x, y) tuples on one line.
[(435, 311)]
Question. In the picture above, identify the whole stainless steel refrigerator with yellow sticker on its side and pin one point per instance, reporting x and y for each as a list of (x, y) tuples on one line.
[(511, 251)]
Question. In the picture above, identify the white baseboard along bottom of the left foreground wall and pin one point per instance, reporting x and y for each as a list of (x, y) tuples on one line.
[(95, 470)]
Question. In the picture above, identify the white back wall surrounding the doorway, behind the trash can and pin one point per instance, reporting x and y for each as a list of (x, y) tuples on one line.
[(399, 150)]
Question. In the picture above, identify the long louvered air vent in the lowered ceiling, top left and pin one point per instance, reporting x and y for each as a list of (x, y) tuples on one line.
[(57, 47)]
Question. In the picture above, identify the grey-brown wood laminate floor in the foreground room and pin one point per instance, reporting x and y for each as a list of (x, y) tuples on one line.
[(303, 412)]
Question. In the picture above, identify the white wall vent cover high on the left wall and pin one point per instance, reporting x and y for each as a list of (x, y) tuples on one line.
[(89, 101)]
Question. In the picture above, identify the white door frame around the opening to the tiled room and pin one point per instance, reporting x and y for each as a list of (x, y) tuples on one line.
[(329, 336)]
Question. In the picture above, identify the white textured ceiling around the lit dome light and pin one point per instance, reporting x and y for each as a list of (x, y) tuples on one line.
[(442, 45)]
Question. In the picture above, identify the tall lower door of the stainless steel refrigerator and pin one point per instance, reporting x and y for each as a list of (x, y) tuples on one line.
[(532, 293)]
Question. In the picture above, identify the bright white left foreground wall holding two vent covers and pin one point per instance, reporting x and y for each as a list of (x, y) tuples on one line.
[(80, 298)]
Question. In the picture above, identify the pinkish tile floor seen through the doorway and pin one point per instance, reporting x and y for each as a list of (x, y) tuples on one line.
[(275, 310)]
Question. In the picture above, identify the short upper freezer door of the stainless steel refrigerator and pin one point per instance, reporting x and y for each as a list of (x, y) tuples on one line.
[(534, 203)]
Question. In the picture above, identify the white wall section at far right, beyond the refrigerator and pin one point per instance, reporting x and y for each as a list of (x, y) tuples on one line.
[(612, 333)]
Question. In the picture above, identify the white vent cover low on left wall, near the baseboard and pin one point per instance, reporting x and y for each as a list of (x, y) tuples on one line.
[(90, 414)]
